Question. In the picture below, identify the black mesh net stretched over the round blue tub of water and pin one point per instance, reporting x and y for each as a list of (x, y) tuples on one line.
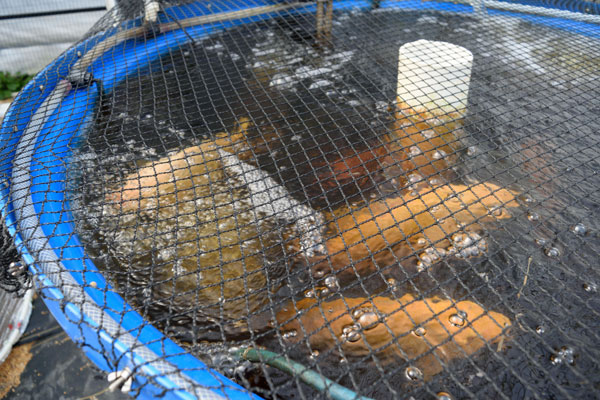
[(261, 195)]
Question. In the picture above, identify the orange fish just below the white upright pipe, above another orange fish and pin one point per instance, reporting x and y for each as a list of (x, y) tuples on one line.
[(387, 230)]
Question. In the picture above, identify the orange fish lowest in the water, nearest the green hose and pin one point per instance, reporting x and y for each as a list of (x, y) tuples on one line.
[(428, 333)]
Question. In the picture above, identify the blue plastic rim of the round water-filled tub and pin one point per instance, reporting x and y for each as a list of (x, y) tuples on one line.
[(38, 134)]
